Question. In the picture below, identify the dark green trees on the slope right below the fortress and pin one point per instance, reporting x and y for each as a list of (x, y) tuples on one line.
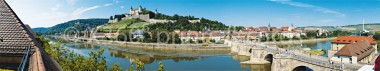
[(184, 24)]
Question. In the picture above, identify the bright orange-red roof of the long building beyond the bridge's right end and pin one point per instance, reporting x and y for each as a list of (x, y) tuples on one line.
[(353, 39)]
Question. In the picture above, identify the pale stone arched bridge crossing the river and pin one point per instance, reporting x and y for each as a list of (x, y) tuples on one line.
[(283, 60)]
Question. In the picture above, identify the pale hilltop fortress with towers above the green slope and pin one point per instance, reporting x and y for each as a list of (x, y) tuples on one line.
[(148, 17)]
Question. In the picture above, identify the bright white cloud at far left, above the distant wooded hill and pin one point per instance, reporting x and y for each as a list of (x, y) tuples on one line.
[(47, 13)]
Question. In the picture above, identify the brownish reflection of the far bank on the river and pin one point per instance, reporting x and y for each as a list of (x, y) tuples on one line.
[(152, 52)]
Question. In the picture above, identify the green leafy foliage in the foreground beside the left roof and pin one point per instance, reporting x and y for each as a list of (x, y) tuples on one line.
[(70, 61)]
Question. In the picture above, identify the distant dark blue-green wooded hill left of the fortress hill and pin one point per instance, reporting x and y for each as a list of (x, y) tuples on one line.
[(79, 24)]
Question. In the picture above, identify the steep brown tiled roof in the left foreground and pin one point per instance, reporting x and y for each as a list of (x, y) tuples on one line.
[(15, 36)]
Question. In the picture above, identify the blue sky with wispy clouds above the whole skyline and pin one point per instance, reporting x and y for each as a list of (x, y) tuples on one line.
[(47, 13)]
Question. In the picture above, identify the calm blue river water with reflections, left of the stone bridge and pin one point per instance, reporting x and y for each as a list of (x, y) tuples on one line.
[(173, 60)]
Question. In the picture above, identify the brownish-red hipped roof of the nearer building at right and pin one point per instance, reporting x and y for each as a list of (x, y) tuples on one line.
[(360, 49)]
